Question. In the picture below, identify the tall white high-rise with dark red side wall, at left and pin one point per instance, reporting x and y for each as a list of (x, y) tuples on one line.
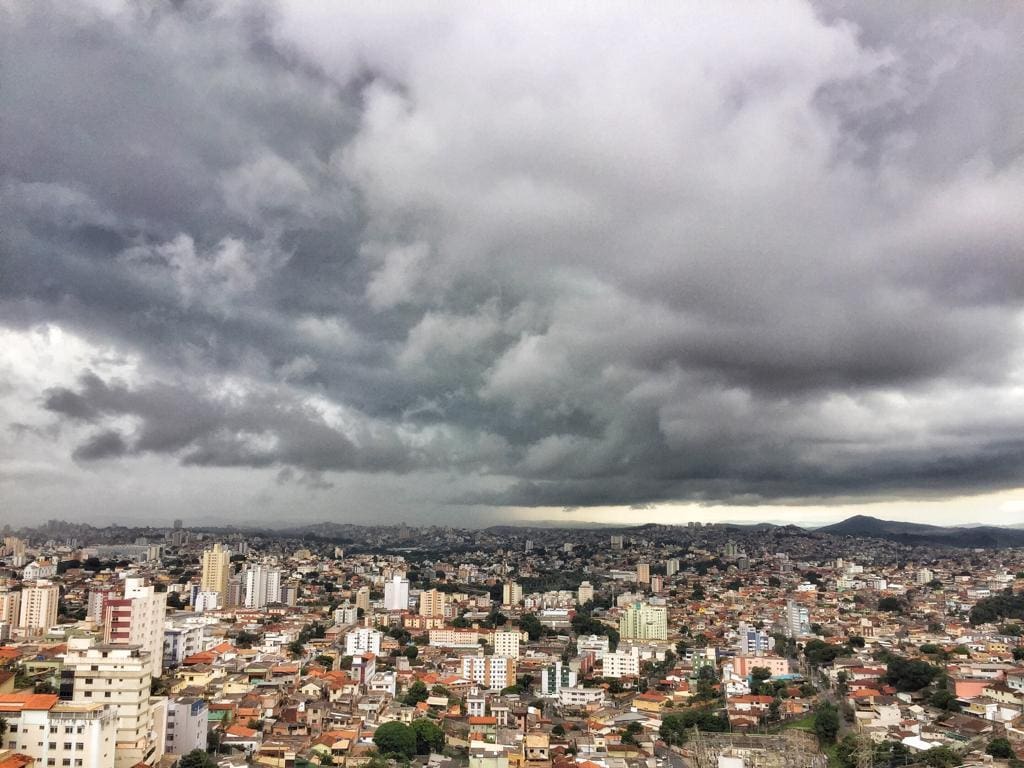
[(138, 619)]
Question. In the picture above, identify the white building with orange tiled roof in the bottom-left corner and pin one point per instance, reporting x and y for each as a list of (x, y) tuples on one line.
[(57, 734)]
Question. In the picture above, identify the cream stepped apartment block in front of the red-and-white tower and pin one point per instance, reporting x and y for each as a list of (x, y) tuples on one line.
[(120, 676)]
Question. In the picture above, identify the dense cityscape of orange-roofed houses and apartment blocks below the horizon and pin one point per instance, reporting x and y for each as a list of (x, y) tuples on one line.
[(639, 648)]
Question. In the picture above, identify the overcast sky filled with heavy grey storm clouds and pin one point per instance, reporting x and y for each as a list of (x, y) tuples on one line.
[(471, 264)]
